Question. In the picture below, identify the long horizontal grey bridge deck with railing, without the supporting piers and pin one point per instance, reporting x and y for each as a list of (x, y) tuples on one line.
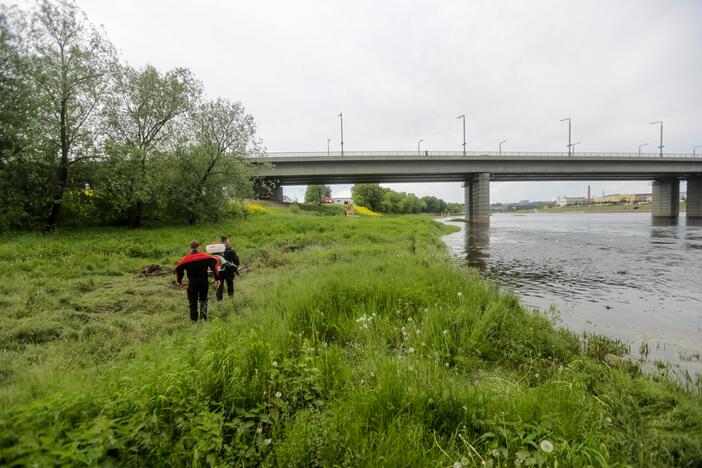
[(367, 167)]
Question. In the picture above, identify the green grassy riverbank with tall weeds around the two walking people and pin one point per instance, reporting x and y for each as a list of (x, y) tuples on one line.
[(353, 342)]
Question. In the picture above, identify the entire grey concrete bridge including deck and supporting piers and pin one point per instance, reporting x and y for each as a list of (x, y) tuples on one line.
[(476, 169)]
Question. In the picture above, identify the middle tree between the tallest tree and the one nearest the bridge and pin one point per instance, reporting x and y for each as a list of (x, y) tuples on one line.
[(141, 116)]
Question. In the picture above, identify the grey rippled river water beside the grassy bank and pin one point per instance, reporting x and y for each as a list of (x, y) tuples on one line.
[(623, 275)]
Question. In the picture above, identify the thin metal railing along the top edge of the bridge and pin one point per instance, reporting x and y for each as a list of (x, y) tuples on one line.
[(529, 154)]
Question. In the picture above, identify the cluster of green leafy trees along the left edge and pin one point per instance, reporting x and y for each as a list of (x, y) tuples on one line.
[(144, 141)]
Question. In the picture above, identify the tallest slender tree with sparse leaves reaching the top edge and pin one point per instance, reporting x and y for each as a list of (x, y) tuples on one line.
[(71, 63)]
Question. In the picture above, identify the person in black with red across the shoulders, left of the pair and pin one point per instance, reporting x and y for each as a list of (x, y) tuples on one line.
[(196, 265)]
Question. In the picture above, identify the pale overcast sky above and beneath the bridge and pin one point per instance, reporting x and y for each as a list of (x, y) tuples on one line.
[(403, 70)]
